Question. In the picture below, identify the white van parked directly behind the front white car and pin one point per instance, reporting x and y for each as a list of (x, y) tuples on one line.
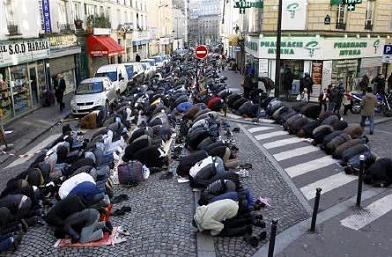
[(117, 75)]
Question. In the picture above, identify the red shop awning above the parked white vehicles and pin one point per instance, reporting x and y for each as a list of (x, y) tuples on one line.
[(103, 46)]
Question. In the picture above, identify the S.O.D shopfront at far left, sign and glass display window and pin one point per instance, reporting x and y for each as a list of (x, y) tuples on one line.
[(22, 76)]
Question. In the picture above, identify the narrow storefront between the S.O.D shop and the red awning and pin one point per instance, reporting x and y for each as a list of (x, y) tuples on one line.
[(64, 56)]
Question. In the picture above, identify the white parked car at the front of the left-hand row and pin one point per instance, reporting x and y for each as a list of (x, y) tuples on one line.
[(93, 94)]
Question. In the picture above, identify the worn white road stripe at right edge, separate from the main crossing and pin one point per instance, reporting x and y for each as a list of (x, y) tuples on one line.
[(369, 214)]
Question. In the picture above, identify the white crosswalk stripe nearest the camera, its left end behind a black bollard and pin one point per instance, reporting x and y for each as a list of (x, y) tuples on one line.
[(327, 184)]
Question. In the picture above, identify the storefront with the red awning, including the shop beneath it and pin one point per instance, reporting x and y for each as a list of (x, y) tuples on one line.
[(102, 50)]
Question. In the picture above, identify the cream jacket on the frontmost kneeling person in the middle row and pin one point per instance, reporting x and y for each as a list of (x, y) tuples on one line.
[(210, 217)]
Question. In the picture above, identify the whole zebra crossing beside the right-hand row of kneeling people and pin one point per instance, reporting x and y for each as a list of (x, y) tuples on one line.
[(299, 154)]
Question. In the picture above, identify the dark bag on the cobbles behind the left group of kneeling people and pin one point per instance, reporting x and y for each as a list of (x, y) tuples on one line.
[(130, 173)]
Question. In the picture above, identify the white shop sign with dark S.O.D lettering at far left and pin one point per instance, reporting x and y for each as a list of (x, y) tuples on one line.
[(15, 52)]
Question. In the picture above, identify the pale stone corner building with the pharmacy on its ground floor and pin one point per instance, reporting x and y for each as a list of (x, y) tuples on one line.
[(323, 38)]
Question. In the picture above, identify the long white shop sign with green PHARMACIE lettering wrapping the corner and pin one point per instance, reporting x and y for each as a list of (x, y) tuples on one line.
[(317, 48)]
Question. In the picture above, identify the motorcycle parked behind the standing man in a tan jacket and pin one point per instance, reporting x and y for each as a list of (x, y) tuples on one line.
[(384, 103)]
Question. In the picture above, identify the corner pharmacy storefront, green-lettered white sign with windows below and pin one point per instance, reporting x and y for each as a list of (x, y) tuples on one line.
[(326, 60)]
